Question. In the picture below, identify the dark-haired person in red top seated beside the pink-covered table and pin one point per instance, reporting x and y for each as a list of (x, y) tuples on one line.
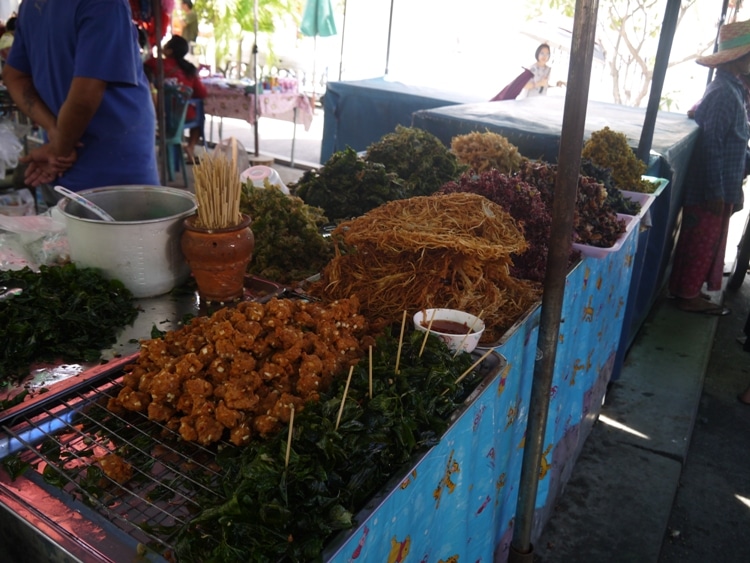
[(183, 71)]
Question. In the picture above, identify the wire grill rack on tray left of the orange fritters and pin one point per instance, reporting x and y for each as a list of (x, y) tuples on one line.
[(63, 442)]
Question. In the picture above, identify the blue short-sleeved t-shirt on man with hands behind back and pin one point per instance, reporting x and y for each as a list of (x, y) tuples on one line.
[(57, 40)]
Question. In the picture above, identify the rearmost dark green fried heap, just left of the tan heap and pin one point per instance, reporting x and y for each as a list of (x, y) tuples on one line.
[(418, 157)]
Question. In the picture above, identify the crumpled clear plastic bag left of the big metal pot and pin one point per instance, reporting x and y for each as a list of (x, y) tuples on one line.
[(32, 241)]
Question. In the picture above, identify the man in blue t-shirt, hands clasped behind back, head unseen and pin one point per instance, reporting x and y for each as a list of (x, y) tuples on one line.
[(95, 108)]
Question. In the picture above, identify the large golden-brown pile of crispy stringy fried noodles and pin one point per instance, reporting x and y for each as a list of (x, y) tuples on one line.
[(435, 251)]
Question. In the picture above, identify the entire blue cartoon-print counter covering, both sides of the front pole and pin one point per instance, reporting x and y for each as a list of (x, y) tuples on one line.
[(459, 499)]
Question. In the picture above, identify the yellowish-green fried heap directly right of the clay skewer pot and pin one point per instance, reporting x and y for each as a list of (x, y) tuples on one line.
[(288, 244)]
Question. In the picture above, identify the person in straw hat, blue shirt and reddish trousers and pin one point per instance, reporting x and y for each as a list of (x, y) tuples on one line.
[(713, 187)]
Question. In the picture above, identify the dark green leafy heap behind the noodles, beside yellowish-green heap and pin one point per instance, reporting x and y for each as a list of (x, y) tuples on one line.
[(348, 186)]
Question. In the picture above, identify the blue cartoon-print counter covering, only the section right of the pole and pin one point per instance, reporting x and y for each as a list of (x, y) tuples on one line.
[(594, 306)]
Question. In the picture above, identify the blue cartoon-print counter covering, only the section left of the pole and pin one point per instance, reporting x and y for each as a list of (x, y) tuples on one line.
[(459, 499)]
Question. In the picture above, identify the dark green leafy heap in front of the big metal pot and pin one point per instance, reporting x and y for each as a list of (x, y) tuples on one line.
[(63, 313)]
